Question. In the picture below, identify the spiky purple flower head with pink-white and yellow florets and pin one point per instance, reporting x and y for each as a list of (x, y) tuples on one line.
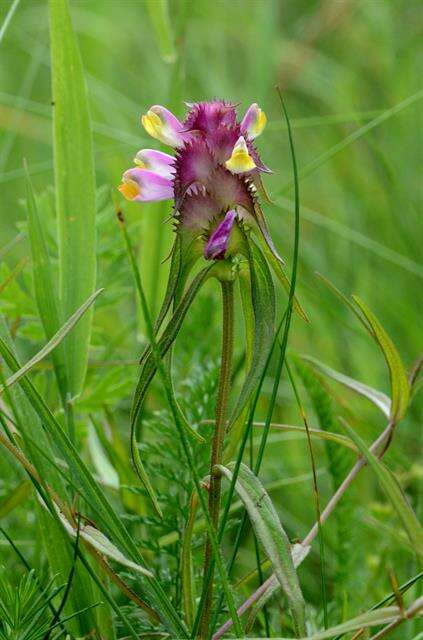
[(213, 176)]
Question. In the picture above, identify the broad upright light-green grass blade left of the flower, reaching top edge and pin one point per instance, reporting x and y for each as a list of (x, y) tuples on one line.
[(75, 186)]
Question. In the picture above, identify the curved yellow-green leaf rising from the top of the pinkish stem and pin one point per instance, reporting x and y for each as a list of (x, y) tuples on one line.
[(400, 390)]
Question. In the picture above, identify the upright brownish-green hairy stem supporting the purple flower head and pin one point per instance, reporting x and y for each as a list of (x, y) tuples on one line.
[(217, 443)]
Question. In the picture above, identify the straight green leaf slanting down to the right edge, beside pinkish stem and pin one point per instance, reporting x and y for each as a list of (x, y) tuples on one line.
[(393, 492)]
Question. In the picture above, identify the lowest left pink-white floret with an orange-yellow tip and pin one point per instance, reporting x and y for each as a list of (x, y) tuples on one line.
[(145, 186)]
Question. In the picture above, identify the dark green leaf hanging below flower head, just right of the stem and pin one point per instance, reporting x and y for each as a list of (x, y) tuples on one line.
[(263, 301)]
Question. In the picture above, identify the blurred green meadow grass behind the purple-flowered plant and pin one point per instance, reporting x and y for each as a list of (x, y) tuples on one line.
[(341, 64)]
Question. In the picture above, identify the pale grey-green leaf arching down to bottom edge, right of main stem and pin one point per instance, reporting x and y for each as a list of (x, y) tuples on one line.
[(272, 536)]
